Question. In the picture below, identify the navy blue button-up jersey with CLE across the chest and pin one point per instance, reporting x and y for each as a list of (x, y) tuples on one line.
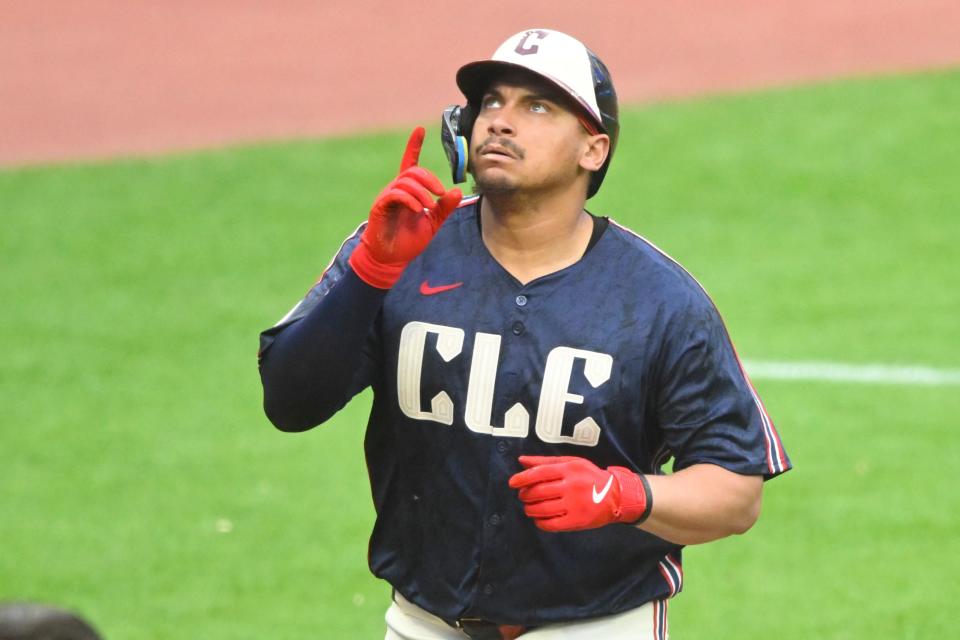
[(620, 358)]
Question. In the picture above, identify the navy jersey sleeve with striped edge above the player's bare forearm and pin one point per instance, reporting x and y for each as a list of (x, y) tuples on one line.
[(708, 410)]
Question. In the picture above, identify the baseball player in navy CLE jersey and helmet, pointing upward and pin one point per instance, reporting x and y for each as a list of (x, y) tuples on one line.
[(534, 367)]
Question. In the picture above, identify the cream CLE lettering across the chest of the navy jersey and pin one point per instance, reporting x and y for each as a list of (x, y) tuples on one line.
[(554, 394)]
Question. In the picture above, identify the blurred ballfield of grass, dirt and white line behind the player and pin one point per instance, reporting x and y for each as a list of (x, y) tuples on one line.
[(173, 177)]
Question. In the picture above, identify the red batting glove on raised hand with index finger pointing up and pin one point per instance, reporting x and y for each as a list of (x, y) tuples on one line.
[(403, 220)]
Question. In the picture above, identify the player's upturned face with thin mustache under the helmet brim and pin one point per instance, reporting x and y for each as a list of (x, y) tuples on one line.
[(527, 138)]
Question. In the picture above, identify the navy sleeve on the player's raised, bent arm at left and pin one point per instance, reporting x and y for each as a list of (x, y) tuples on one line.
[(325, 350)]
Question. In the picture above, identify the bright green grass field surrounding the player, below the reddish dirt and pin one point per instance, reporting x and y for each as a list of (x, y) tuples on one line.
[(142, 486)]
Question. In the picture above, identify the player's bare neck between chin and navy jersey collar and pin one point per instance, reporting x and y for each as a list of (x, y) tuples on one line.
[(533, 238)]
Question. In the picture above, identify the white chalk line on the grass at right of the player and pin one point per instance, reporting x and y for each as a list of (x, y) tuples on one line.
[(862, 374)]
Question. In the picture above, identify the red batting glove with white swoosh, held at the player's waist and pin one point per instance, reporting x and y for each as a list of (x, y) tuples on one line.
[(566, 493)]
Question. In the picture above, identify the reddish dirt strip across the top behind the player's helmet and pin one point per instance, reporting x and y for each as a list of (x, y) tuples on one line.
[(97, 78)]
